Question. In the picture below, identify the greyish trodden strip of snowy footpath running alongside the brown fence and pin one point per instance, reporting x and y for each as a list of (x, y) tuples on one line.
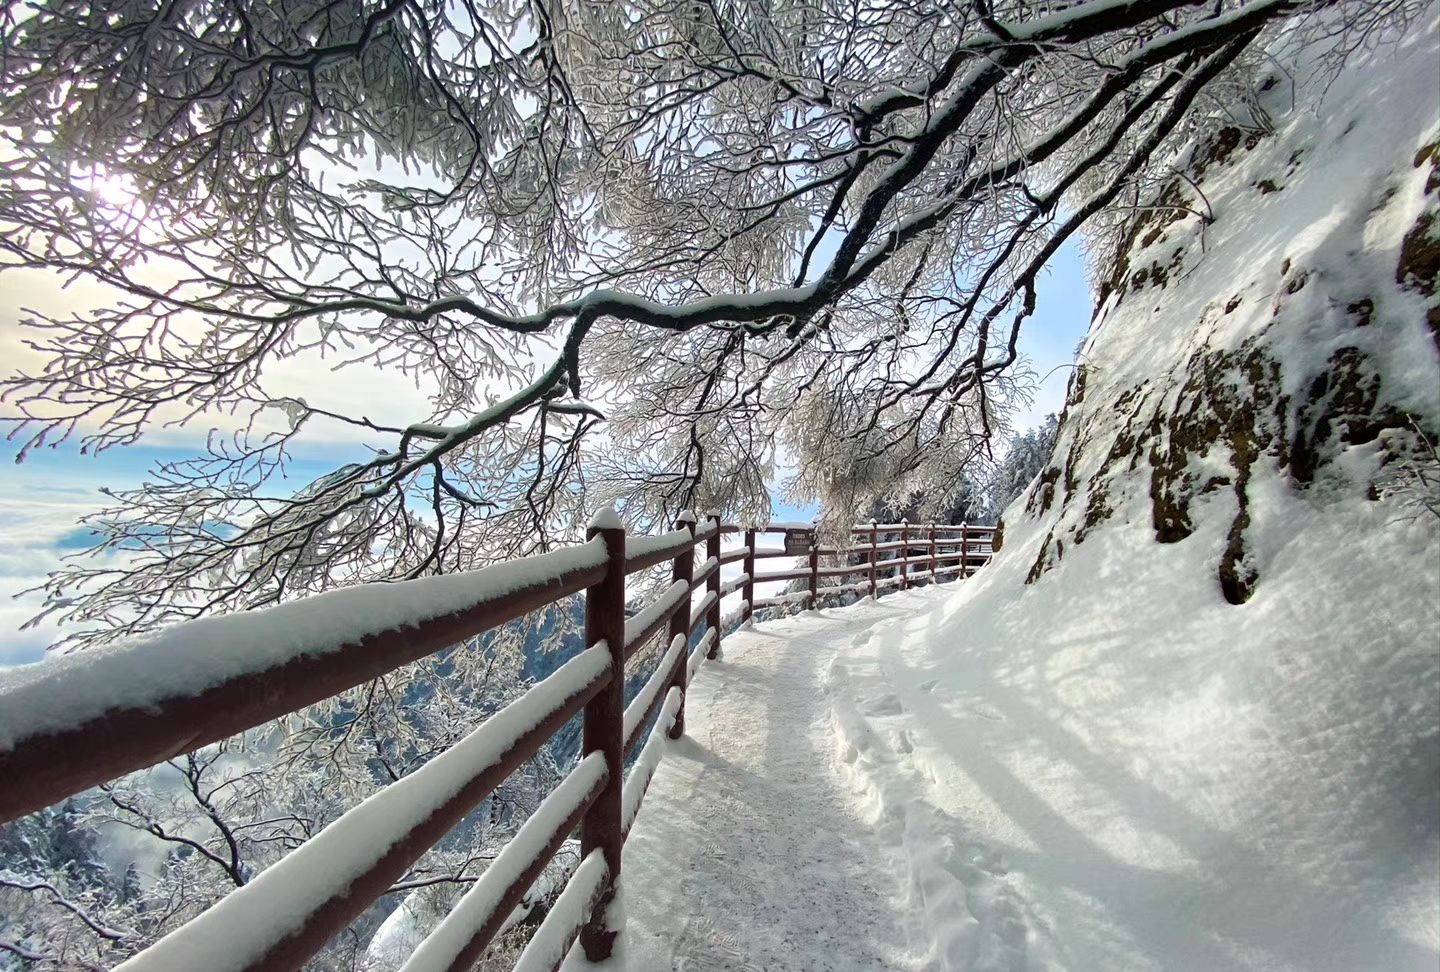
[(748, 853)]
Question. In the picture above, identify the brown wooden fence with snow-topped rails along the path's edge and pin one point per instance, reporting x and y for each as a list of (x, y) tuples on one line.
[(80, 721)]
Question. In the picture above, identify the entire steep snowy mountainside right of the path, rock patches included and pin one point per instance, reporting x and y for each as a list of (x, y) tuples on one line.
[(1194, 706)]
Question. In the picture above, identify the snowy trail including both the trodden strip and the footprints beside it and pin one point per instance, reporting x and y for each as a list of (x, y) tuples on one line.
[(764, 845)]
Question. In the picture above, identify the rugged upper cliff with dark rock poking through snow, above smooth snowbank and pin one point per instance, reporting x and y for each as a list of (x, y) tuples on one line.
[(1268, 338)]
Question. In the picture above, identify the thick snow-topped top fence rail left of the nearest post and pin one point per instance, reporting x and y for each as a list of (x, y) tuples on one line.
[(109, 732)]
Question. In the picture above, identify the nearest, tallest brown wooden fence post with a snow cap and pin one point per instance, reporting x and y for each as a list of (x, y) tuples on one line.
[(606, 726)]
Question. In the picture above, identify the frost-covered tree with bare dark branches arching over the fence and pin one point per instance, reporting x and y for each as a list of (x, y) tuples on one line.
[(631, 251)]
